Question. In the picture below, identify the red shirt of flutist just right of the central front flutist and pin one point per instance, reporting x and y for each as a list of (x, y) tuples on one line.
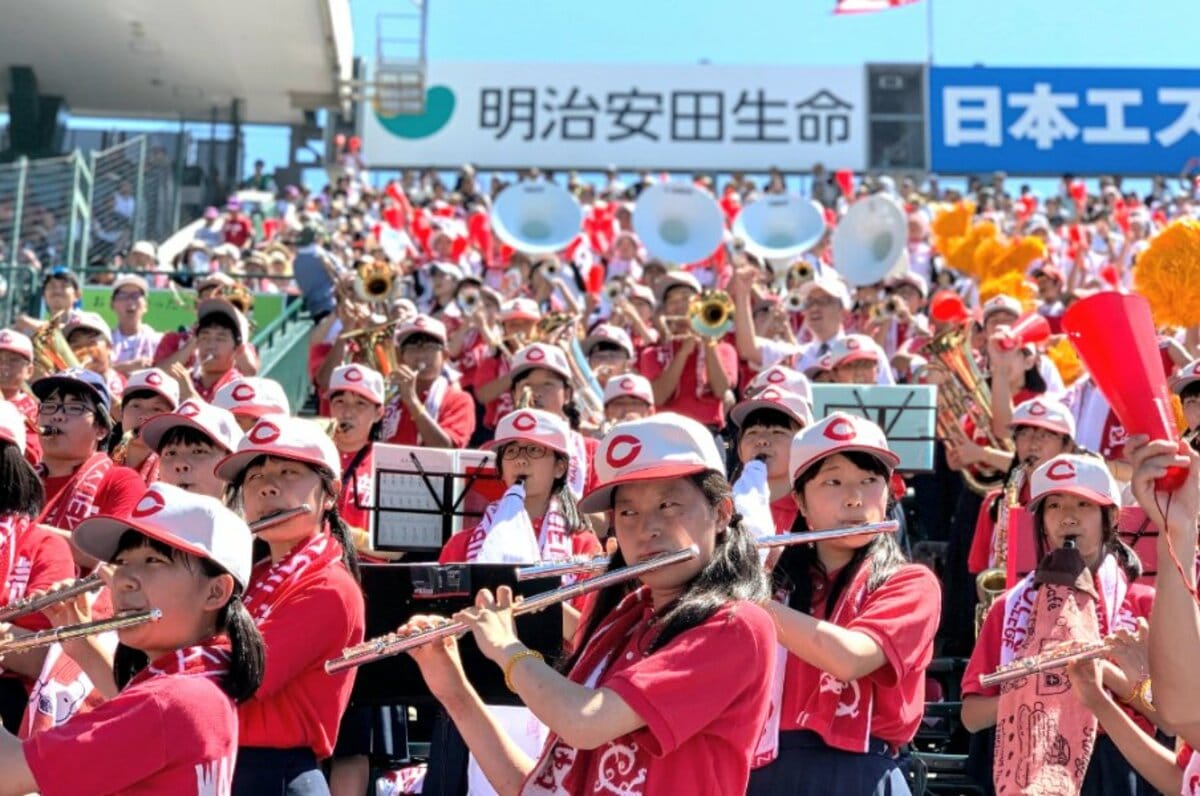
[(902, 617)]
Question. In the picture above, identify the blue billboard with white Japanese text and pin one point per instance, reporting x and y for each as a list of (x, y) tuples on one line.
[(1057, 121)]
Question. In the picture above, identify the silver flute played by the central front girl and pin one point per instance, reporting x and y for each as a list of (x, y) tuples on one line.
[(394, 644)]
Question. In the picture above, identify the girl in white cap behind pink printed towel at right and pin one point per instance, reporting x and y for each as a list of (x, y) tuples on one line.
[(1072, 498)]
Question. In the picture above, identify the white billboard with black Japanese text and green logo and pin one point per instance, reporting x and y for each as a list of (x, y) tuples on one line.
[(589, 116)]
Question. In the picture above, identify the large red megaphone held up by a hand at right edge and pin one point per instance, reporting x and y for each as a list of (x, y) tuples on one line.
[(1115, 337)]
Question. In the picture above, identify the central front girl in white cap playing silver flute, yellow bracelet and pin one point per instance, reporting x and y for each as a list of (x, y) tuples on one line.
[(668, 689)]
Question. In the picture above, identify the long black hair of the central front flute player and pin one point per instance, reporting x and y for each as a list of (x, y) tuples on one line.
[(734, 573)]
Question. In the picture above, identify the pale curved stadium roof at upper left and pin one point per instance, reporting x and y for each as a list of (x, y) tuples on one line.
[(182, 58)]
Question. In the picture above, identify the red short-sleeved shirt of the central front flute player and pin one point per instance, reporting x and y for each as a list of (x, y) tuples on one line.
[(704, 697)]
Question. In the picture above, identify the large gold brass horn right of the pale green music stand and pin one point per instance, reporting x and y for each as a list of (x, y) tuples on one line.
[(963, 393)]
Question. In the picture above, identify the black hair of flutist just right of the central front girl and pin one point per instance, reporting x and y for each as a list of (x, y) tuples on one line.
[(800, 565)]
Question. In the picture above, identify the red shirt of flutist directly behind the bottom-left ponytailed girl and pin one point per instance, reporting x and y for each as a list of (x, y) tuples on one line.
[(299, 705)]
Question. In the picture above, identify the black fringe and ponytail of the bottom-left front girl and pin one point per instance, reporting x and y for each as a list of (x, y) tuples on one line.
[(248, 657)]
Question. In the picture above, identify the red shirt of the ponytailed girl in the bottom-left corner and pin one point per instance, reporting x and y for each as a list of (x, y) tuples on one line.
[(166, 735)]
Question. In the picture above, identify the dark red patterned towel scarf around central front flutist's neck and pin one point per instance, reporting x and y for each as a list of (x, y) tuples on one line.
[(561, 770)]
